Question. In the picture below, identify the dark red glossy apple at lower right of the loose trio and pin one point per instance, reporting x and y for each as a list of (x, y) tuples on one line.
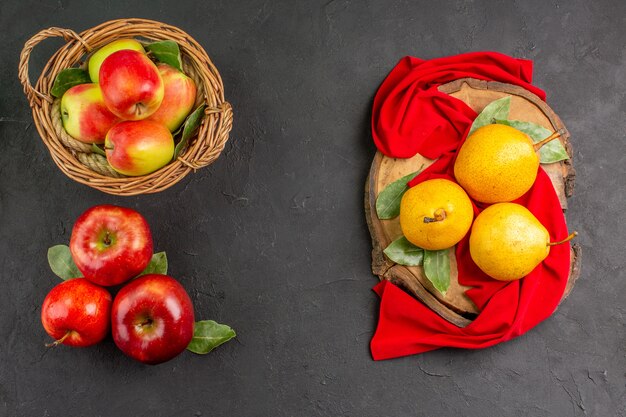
[(152, 319)]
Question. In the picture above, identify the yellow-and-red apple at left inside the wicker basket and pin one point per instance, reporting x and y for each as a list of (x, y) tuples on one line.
[(84, 115)]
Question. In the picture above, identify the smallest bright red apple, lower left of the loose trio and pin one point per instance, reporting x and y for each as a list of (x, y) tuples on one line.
[(76, 313)]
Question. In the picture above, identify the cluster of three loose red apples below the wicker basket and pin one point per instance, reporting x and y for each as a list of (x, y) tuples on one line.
[(151, 318)]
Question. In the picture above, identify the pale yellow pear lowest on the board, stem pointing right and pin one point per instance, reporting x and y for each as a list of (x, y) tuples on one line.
[(507, 241)]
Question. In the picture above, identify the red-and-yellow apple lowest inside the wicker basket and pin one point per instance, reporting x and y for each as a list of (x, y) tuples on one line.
[(138, 147)]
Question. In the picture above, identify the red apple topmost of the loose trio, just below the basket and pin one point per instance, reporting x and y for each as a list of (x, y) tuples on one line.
[(111, 244)]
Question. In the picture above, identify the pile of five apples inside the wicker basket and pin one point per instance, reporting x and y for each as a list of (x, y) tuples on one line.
[(132, 106)]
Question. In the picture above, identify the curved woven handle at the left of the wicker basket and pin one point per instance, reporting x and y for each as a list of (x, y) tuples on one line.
[(34, 96)]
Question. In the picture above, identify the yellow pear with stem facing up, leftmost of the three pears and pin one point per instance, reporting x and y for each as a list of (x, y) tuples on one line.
[(435, 214)]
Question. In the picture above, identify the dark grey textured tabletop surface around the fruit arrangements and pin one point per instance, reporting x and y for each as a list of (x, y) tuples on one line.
[(272, 240)]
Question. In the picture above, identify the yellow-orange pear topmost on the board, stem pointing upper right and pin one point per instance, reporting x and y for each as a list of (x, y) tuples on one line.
[(498, 163)]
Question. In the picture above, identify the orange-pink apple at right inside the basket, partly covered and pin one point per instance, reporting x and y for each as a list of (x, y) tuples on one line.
[(178, 99)]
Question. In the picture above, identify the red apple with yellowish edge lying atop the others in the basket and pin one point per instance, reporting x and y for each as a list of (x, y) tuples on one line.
[(131, 84)]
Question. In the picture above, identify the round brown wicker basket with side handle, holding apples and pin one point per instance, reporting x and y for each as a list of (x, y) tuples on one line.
[(74, 158)]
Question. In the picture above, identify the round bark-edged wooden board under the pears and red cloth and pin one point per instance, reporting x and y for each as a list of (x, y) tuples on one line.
[(455, 306)]
